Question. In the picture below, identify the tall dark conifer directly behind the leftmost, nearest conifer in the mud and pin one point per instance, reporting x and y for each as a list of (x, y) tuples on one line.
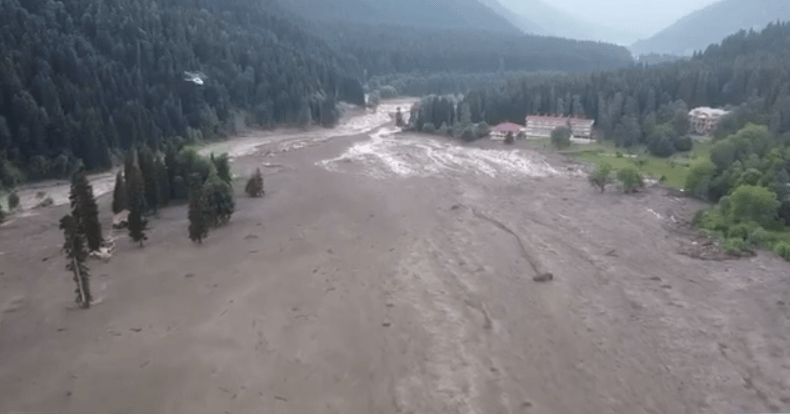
[(85, 211)]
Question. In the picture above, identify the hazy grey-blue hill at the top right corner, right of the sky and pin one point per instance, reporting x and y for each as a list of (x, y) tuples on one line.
[(712, 24)]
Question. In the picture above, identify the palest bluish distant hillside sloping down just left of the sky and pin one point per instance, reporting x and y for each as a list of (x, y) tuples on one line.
[(555, 22)]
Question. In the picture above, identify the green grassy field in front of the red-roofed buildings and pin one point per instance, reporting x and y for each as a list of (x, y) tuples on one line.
[(673, 169)]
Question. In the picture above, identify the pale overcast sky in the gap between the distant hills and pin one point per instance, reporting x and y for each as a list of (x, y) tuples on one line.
[(636, 16)]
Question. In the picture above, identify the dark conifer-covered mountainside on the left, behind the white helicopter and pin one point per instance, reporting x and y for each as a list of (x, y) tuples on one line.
[(82, 79)]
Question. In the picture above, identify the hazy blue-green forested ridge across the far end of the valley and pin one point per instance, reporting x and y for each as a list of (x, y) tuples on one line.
[(384, 49)]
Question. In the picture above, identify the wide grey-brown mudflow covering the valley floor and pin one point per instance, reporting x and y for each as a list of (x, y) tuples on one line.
[(394, 274)]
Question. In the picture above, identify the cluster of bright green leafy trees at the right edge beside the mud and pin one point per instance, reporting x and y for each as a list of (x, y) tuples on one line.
[(748, 176)]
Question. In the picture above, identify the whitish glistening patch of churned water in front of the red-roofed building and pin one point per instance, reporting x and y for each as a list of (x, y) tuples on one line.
[(386, 155)]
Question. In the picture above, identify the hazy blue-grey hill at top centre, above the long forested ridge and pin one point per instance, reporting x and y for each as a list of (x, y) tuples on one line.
[(437, 14)]
